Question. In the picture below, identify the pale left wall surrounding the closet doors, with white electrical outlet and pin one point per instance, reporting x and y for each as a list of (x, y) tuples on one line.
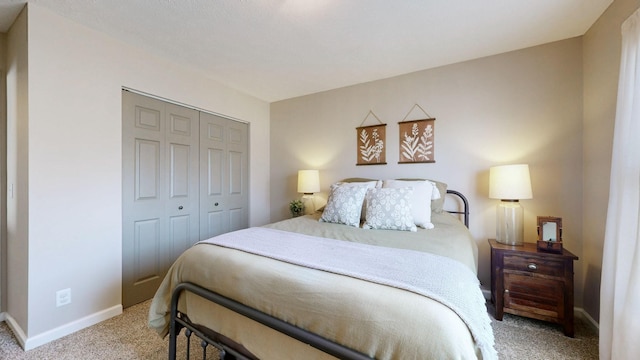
[(66, 164)]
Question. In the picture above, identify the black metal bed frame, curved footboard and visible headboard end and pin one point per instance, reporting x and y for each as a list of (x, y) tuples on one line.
[(228, 351)]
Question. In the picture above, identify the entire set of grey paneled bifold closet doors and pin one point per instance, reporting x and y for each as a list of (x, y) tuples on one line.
[(183, 181)]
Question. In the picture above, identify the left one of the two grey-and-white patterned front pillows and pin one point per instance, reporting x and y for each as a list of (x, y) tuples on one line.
[(344, 205)]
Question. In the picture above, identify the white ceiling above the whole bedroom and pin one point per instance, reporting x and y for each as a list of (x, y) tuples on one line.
[(278, 49)]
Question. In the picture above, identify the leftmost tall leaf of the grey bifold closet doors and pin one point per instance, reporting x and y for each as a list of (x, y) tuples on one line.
[(142, 205)]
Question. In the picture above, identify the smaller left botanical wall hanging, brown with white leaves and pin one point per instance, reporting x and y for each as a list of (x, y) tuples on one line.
[(371, 142)]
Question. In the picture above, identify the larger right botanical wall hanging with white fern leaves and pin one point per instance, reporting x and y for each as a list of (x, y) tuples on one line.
[(417, 140)]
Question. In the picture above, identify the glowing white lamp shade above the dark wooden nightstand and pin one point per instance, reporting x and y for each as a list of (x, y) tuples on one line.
[(510, 182)]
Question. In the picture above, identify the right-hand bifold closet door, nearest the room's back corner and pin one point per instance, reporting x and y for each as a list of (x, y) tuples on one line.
[(224, 175)]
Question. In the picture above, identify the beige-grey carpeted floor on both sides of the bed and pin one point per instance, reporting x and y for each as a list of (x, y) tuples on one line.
[(127, 337)]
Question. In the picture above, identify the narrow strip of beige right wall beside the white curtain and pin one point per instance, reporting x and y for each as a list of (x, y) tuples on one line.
[(602, 46)]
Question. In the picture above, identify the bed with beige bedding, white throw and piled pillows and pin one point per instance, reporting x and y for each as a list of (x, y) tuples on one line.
[(317, 287)]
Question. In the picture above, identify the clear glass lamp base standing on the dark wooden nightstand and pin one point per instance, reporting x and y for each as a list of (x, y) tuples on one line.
[(509, 223)]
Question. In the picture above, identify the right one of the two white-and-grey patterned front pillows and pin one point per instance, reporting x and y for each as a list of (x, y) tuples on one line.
[(389, 209)]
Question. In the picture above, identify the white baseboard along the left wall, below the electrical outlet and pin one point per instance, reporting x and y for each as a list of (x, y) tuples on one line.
[(61, 331)]
